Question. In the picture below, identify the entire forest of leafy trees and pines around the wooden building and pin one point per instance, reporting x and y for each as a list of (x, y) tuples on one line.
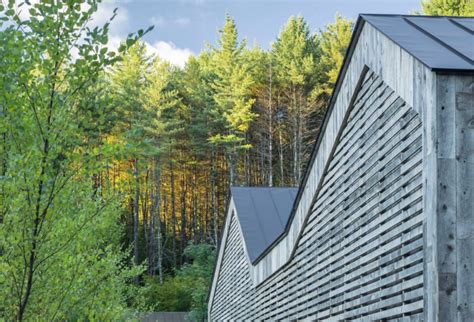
[(115, 166)]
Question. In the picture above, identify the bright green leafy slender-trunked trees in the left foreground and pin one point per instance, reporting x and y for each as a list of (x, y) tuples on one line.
[(60, 257)]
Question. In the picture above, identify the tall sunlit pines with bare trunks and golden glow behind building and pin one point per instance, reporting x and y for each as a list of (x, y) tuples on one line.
[(233, 116)]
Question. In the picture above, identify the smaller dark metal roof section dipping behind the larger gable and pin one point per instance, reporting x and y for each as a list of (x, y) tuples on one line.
[(263, 214)]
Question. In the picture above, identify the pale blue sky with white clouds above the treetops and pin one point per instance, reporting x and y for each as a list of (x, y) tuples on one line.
[(182, 27)]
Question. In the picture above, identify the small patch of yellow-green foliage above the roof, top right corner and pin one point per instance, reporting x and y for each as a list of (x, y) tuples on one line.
[(448, 7)]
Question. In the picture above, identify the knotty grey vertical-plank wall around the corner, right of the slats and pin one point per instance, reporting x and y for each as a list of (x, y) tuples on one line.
[(449, 200)]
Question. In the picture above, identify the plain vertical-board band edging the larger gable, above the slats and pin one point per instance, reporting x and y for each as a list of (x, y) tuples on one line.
[(409, 78)]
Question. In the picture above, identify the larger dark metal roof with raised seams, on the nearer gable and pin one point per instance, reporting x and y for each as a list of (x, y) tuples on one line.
[(441, 43)]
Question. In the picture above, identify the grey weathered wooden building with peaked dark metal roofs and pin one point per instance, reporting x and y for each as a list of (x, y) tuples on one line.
[(382, 226)]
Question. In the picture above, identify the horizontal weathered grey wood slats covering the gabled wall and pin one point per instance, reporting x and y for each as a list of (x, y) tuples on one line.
[(360, 254)]
